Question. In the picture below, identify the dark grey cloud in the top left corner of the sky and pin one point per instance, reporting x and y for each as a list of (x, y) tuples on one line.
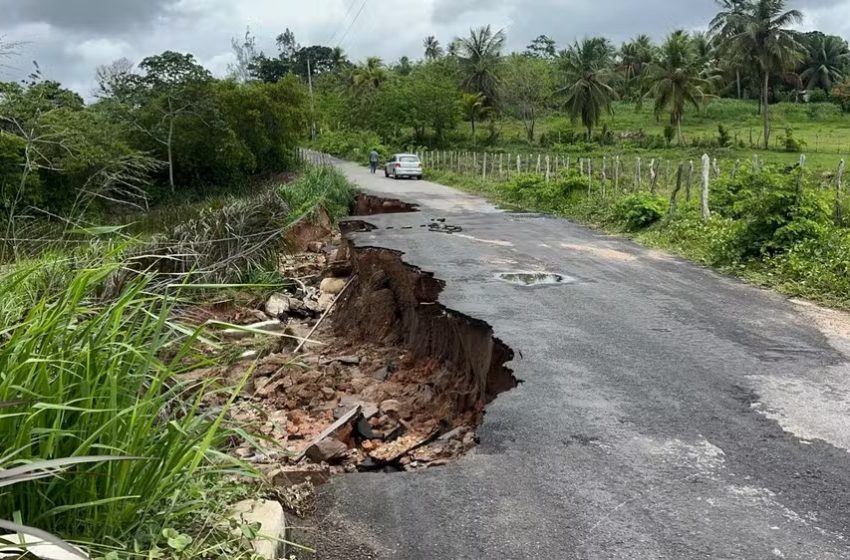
[(95, 15)]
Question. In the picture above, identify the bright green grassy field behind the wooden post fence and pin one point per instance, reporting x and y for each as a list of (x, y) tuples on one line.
[(821, 130)]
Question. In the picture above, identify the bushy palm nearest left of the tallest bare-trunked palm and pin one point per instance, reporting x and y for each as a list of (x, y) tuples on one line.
[(677, 79)]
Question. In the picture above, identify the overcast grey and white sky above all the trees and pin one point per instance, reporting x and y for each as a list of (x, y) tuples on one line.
[(70, 38)]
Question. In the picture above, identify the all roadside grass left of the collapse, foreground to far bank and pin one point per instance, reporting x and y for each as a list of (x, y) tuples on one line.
[(91, 355)]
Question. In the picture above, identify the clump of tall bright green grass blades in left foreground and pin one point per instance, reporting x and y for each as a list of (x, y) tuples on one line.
[(91, 379)]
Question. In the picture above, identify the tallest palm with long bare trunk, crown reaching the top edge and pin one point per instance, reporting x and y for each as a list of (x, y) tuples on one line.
[(760, 29)]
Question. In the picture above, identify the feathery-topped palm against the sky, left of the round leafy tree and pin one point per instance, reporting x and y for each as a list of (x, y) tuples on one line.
[(480, 57)]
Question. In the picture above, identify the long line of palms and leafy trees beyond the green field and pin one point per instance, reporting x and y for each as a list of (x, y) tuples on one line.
[(748, 51)]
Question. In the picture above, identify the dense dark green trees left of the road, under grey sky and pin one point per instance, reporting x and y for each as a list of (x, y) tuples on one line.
[(162, 127)]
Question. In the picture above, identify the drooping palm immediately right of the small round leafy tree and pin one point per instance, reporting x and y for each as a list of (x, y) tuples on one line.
[(589, 94)]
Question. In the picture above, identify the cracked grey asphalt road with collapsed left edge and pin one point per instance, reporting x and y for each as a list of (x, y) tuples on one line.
[(667, 412)]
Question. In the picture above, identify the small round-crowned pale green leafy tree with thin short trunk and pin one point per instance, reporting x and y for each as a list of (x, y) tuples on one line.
[(527, 85)]
